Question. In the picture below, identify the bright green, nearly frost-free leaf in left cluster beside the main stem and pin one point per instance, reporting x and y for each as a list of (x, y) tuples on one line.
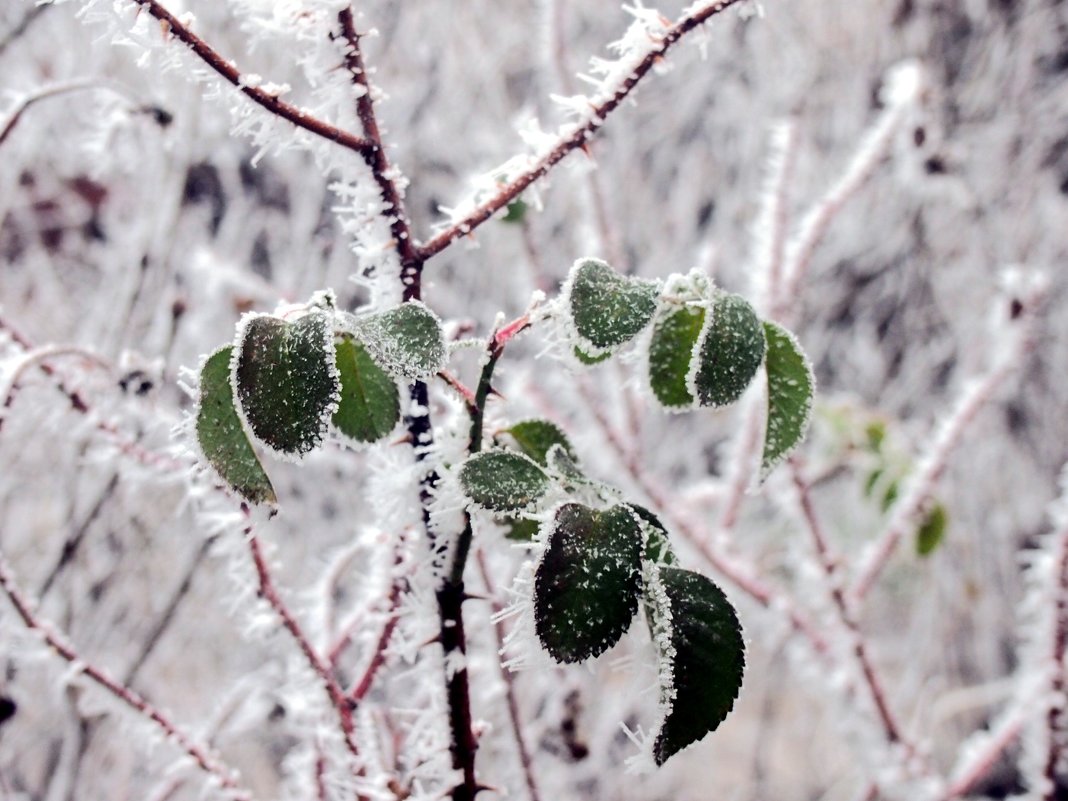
[(370, 406)]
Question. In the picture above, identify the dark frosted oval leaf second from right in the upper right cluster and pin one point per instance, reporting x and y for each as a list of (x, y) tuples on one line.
[(732, 351)]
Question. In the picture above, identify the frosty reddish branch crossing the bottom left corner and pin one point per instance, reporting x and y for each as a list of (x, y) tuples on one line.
[(207, 761)]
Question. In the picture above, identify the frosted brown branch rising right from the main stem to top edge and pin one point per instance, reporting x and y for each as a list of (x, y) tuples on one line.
[(574, 140)]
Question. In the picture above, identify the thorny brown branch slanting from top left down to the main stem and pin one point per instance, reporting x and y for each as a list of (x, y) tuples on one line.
[(271, 102)]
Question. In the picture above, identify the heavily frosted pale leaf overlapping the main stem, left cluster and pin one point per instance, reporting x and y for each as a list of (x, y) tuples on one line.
[(407, 341)]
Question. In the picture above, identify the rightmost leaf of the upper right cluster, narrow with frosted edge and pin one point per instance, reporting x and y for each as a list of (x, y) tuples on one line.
[(791, 390)]
